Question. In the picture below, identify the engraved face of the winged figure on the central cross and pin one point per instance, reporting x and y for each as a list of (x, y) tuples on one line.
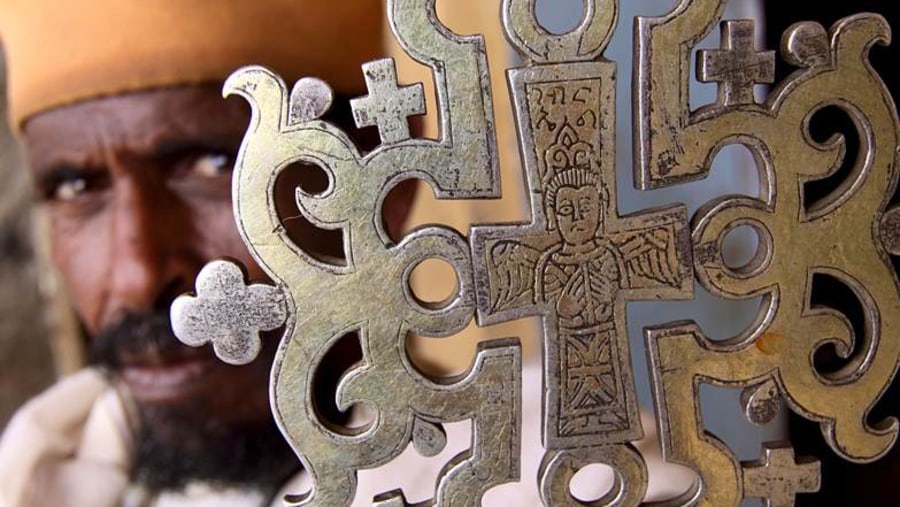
[(578, 214)]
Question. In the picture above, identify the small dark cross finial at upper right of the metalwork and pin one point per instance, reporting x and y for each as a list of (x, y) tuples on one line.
[(737, 66)]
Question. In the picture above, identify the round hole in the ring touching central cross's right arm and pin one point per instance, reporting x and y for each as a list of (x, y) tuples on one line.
[(746, 248)]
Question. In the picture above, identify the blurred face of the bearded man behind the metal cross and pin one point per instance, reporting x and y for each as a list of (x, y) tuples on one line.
[(138, 192)]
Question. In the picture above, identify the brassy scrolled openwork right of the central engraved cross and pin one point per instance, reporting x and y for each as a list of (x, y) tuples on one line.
[(798, 239)]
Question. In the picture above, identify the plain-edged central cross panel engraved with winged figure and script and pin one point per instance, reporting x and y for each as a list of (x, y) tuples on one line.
[(579, 262)]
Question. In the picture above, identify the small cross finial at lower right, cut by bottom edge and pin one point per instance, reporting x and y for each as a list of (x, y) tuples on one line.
[(777, 477)]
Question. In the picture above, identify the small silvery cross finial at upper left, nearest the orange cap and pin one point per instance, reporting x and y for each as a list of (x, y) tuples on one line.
[(388, 106)]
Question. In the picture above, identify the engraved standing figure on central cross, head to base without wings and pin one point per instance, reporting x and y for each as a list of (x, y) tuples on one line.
[(580, 277)]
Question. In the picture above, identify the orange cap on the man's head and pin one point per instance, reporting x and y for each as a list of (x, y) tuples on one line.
[(64, 51)]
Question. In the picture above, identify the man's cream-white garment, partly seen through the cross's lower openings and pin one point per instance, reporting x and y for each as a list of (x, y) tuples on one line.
[(70, 447)]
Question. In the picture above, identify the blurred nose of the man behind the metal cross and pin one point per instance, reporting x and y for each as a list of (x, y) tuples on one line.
[(152, 260)]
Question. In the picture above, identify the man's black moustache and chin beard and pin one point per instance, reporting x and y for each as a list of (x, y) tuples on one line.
[(177, 445)]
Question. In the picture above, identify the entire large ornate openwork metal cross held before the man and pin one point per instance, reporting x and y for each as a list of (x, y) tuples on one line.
[(579, 261)]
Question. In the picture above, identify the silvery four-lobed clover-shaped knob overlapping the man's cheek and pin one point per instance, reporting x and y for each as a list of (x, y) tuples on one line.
[(228, 313)]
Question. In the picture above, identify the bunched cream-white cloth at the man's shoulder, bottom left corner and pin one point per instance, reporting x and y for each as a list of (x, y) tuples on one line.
[(45, 458)]
